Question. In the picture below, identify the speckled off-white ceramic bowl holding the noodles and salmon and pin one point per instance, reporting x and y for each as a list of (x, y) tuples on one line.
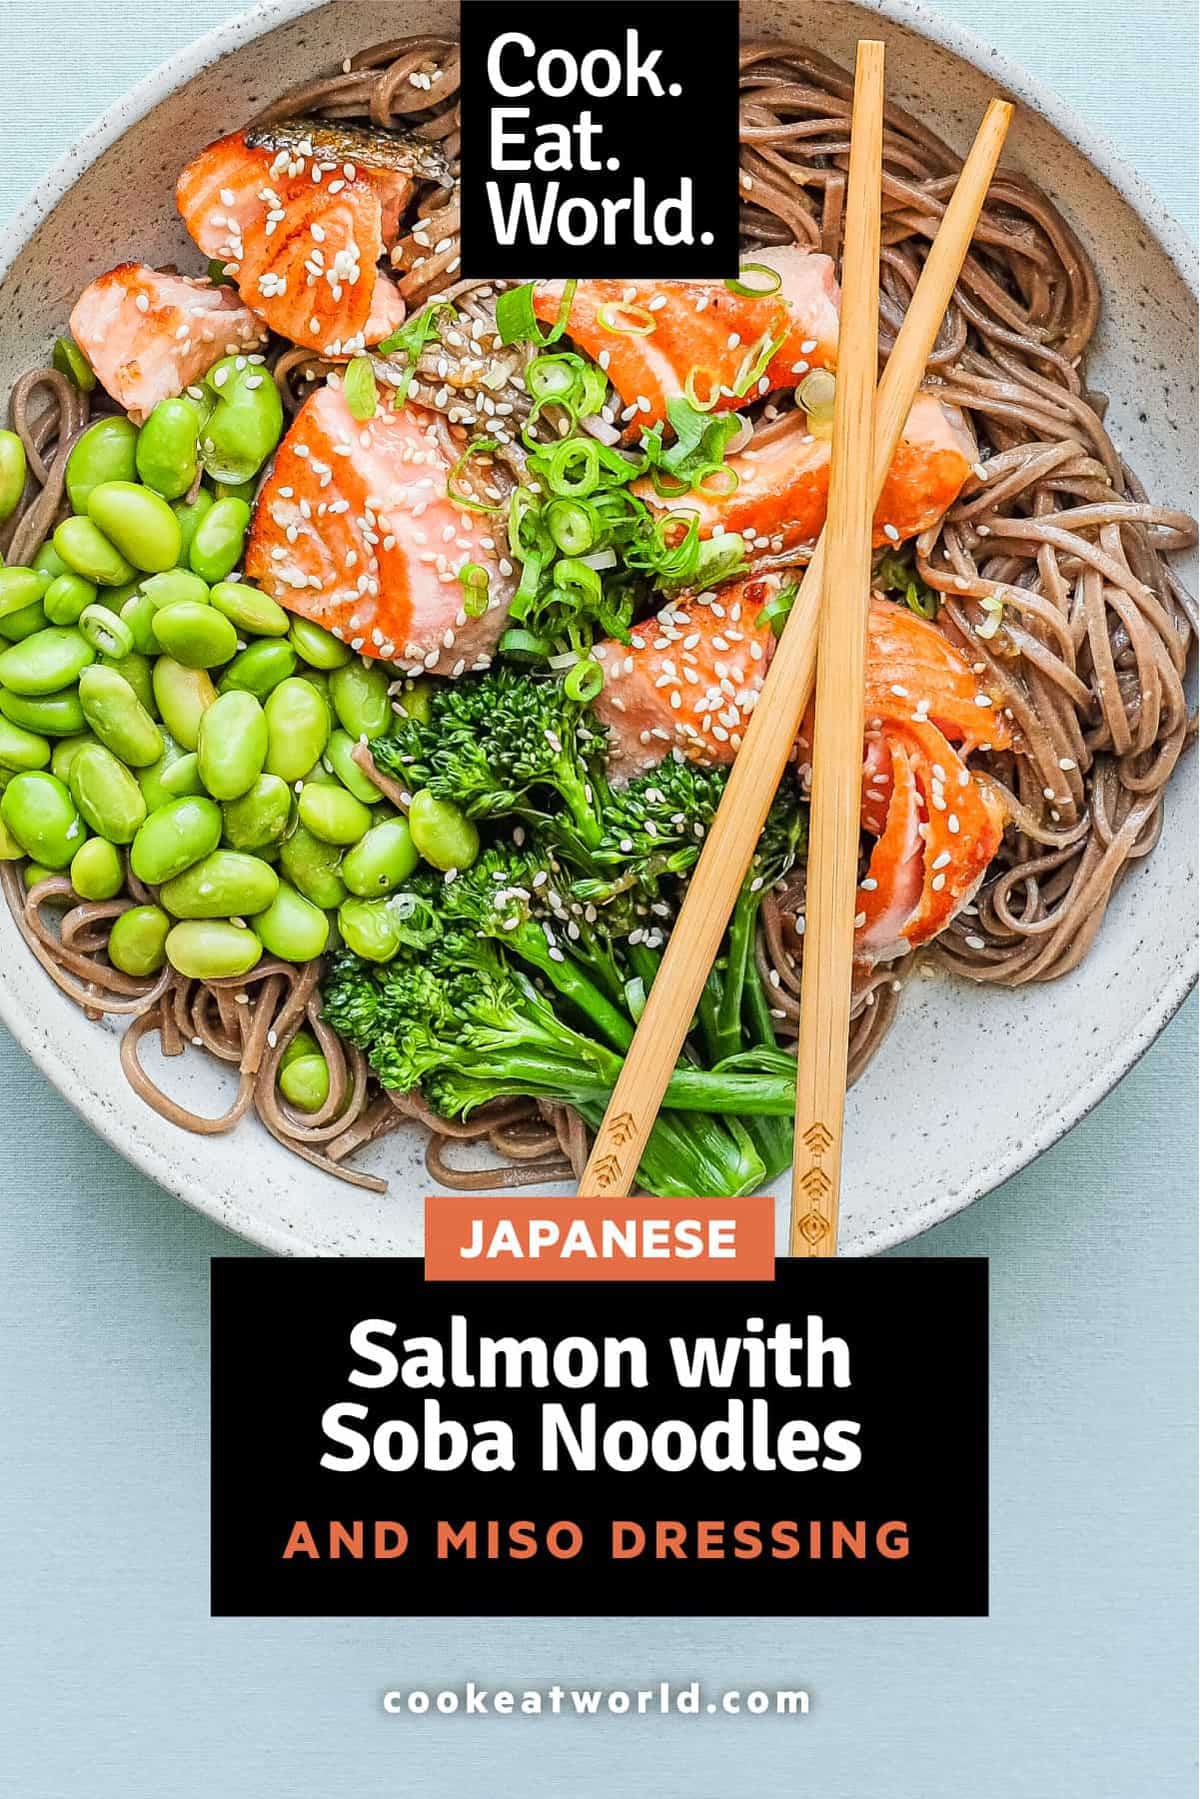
[(972, 1084)]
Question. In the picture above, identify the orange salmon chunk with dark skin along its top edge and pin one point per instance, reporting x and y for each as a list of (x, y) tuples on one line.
[(301, 224)]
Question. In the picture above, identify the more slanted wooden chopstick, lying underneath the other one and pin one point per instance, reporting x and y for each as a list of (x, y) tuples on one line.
[(767, 746)]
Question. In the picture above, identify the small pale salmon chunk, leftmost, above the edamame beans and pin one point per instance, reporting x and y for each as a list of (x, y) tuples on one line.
[(150, 336)]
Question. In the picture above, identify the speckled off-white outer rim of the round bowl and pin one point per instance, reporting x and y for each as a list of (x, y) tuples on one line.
[(927, 24)]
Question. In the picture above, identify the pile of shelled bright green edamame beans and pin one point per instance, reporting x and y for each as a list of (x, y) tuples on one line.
[(165, 720)]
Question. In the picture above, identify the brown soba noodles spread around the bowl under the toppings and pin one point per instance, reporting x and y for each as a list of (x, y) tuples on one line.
[(1089, 656)]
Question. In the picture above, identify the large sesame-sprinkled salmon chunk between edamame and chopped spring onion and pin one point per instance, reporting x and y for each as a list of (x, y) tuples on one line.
[(354, 530)]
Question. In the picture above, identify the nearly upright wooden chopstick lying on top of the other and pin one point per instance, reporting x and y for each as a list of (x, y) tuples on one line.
[(836, 809)]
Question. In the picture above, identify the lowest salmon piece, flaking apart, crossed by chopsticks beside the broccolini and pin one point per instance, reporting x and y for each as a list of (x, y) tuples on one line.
[(690, 681)]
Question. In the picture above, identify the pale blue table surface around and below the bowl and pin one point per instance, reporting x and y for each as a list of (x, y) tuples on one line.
[(114, 1683)]
